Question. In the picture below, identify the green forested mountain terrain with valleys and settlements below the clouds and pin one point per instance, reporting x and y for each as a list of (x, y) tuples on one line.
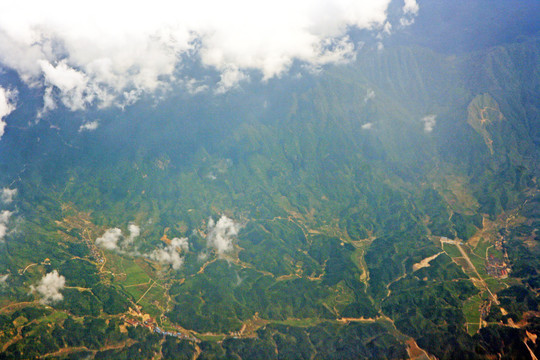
[(387, 208)]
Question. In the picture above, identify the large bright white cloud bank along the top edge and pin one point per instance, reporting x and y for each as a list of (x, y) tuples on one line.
[(96, 57)]
